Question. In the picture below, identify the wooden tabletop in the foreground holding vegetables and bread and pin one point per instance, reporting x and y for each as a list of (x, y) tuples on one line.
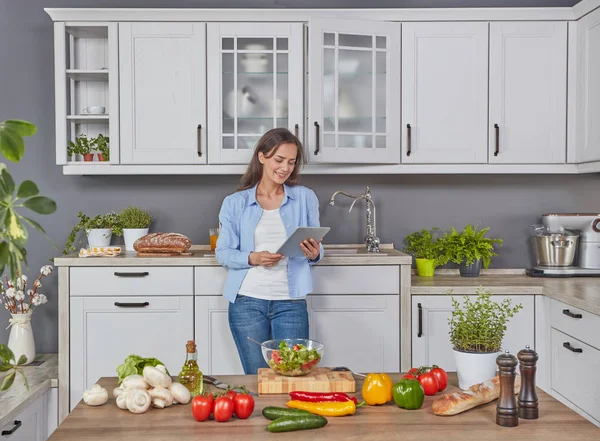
[(387, 422)]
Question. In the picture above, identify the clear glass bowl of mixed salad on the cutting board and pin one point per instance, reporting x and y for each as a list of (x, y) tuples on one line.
[(292, 357)]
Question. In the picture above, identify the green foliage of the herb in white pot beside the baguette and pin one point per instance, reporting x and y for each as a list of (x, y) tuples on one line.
[(480, 325)]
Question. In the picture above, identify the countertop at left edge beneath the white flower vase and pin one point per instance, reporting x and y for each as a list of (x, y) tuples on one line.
[(40, 379)]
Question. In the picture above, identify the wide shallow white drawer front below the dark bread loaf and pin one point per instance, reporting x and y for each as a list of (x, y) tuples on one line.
[(132, 281)]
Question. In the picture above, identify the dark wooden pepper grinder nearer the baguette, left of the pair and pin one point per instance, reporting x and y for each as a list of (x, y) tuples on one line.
[(506, 409)]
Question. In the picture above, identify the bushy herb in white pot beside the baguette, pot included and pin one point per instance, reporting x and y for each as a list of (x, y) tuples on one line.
[(477, 329)]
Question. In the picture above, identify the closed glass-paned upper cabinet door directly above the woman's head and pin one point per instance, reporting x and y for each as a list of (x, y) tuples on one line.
[(255, 83)]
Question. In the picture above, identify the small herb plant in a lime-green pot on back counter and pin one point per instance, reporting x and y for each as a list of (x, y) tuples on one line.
[(427, 249)]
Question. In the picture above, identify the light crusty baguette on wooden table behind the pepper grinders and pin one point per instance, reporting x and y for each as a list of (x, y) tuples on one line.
[(476, 395)]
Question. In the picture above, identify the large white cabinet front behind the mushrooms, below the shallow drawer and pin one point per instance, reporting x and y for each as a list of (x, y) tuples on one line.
[(105, 330)]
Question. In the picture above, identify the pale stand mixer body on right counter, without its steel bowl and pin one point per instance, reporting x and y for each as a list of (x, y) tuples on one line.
[(587, 257)]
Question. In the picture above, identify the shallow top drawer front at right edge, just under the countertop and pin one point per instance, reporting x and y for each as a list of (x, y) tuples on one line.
[(576, 323)]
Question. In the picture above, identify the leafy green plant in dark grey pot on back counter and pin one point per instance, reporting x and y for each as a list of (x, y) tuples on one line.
[(470, 249)]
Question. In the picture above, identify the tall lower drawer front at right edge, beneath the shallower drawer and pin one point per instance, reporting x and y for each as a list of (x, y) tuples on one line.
[(575, 374)]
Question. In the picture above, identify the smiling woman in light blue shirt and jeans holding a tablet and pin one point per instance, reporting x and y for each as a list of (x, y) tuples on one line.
[(267, 290)]
